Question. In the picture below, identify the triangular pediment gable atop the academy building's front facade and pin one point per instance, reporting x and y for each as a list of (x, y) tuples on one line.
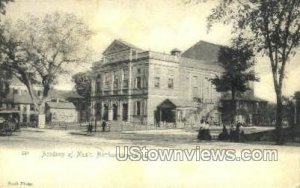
[(120, 45)]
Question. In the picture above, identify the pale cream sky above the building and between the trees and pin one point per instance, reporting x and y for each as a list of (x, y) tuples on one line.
[(158, 25)]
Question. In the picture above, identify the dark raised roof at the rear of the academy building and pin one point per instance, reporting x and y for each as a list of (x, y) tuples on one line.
[(205, 51)]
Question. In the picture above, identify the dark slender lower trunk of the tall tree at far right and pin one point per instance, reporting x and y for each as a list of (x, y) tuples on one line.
[(279, 131)]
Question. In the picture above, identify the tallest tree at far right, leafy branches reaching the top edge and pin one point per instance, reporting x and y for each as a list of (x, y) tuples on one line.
[(273, 28)]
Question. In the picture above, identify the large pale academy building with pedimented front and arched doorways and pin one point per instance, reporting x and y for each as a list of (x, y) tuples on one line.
[(136, 85)]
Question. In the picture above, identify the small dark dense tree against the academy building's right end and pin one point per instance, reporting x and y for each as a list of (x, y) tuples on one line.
[(237, 62)]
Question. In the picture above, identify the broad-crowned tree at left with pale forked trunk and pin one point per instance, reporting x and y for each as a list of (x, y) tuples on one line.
[(38, 50)]
